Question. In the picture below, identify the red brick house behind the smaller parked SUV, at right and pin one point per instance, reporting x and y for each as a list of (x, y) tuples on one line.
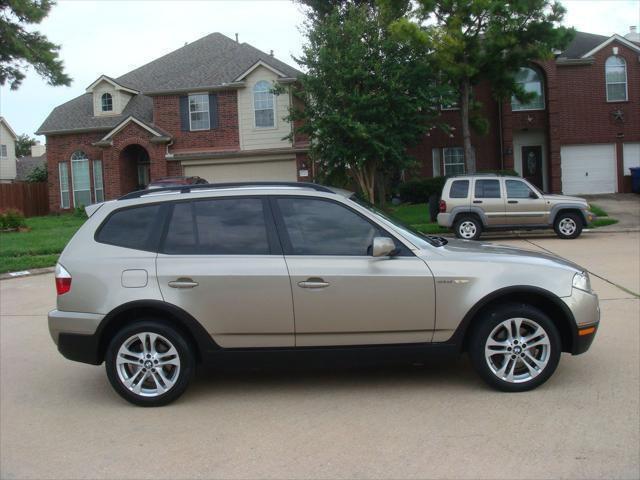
[(579, 135)]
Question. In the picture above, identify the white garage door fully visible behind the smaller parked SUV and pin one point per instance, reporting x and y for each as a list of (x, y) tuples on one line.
[(589, 169)]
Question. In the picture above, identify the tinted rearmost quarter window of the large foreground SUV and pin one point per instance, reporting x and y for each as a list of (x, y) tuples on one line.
[(132, 228)]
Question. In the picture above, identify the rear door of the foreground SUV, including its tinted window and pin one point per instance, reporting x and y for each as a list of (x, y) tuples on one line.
[(221, 262)]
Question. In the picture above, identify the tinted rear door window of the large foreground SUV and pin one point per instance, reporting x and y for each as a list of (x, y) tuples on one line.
[(218, 227)]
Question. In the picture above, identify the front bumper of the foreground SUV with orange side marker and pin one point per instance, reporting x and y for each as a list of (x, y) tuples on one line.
[(586, 312)]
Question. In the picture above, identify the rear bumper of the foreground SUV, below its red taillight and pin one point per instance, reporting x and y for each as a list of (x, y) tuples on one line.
[(75, 334)]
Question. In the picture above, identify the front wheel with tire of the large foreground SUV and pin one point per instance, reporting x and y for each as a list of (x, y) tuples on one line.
[(521, 367)]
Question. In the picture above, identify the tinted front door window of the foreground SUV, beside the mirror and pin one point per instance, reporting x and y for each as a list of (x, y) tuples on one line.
[(318, 227)]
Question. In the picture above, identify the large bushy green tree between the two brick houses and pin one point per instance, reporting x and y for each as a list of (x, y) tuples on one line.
[(366, 95)]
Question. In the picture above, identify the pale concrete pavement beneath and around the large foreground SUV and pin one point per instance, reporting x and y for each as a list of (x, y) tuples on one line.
[(60, 419)]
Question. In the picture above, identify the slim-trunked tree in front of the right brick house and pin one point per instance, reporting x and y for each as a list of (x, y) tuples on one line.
[(476, 40)]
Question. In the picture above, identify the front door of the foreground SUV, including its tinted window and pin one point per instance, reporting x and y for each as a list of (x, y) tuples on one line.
[(342, 295)]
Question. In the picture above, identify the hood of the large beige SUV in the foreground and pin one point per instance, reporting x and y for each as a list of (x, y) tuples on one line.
[(488, 252)]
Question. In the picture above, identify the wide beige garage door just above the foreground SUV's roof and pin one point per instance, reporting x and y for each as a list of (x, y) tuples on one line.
[(277, 170)]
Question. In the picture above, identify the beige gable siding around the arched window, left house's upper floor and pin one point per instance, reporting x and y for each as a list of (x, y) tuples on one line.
[(252, 138)]
